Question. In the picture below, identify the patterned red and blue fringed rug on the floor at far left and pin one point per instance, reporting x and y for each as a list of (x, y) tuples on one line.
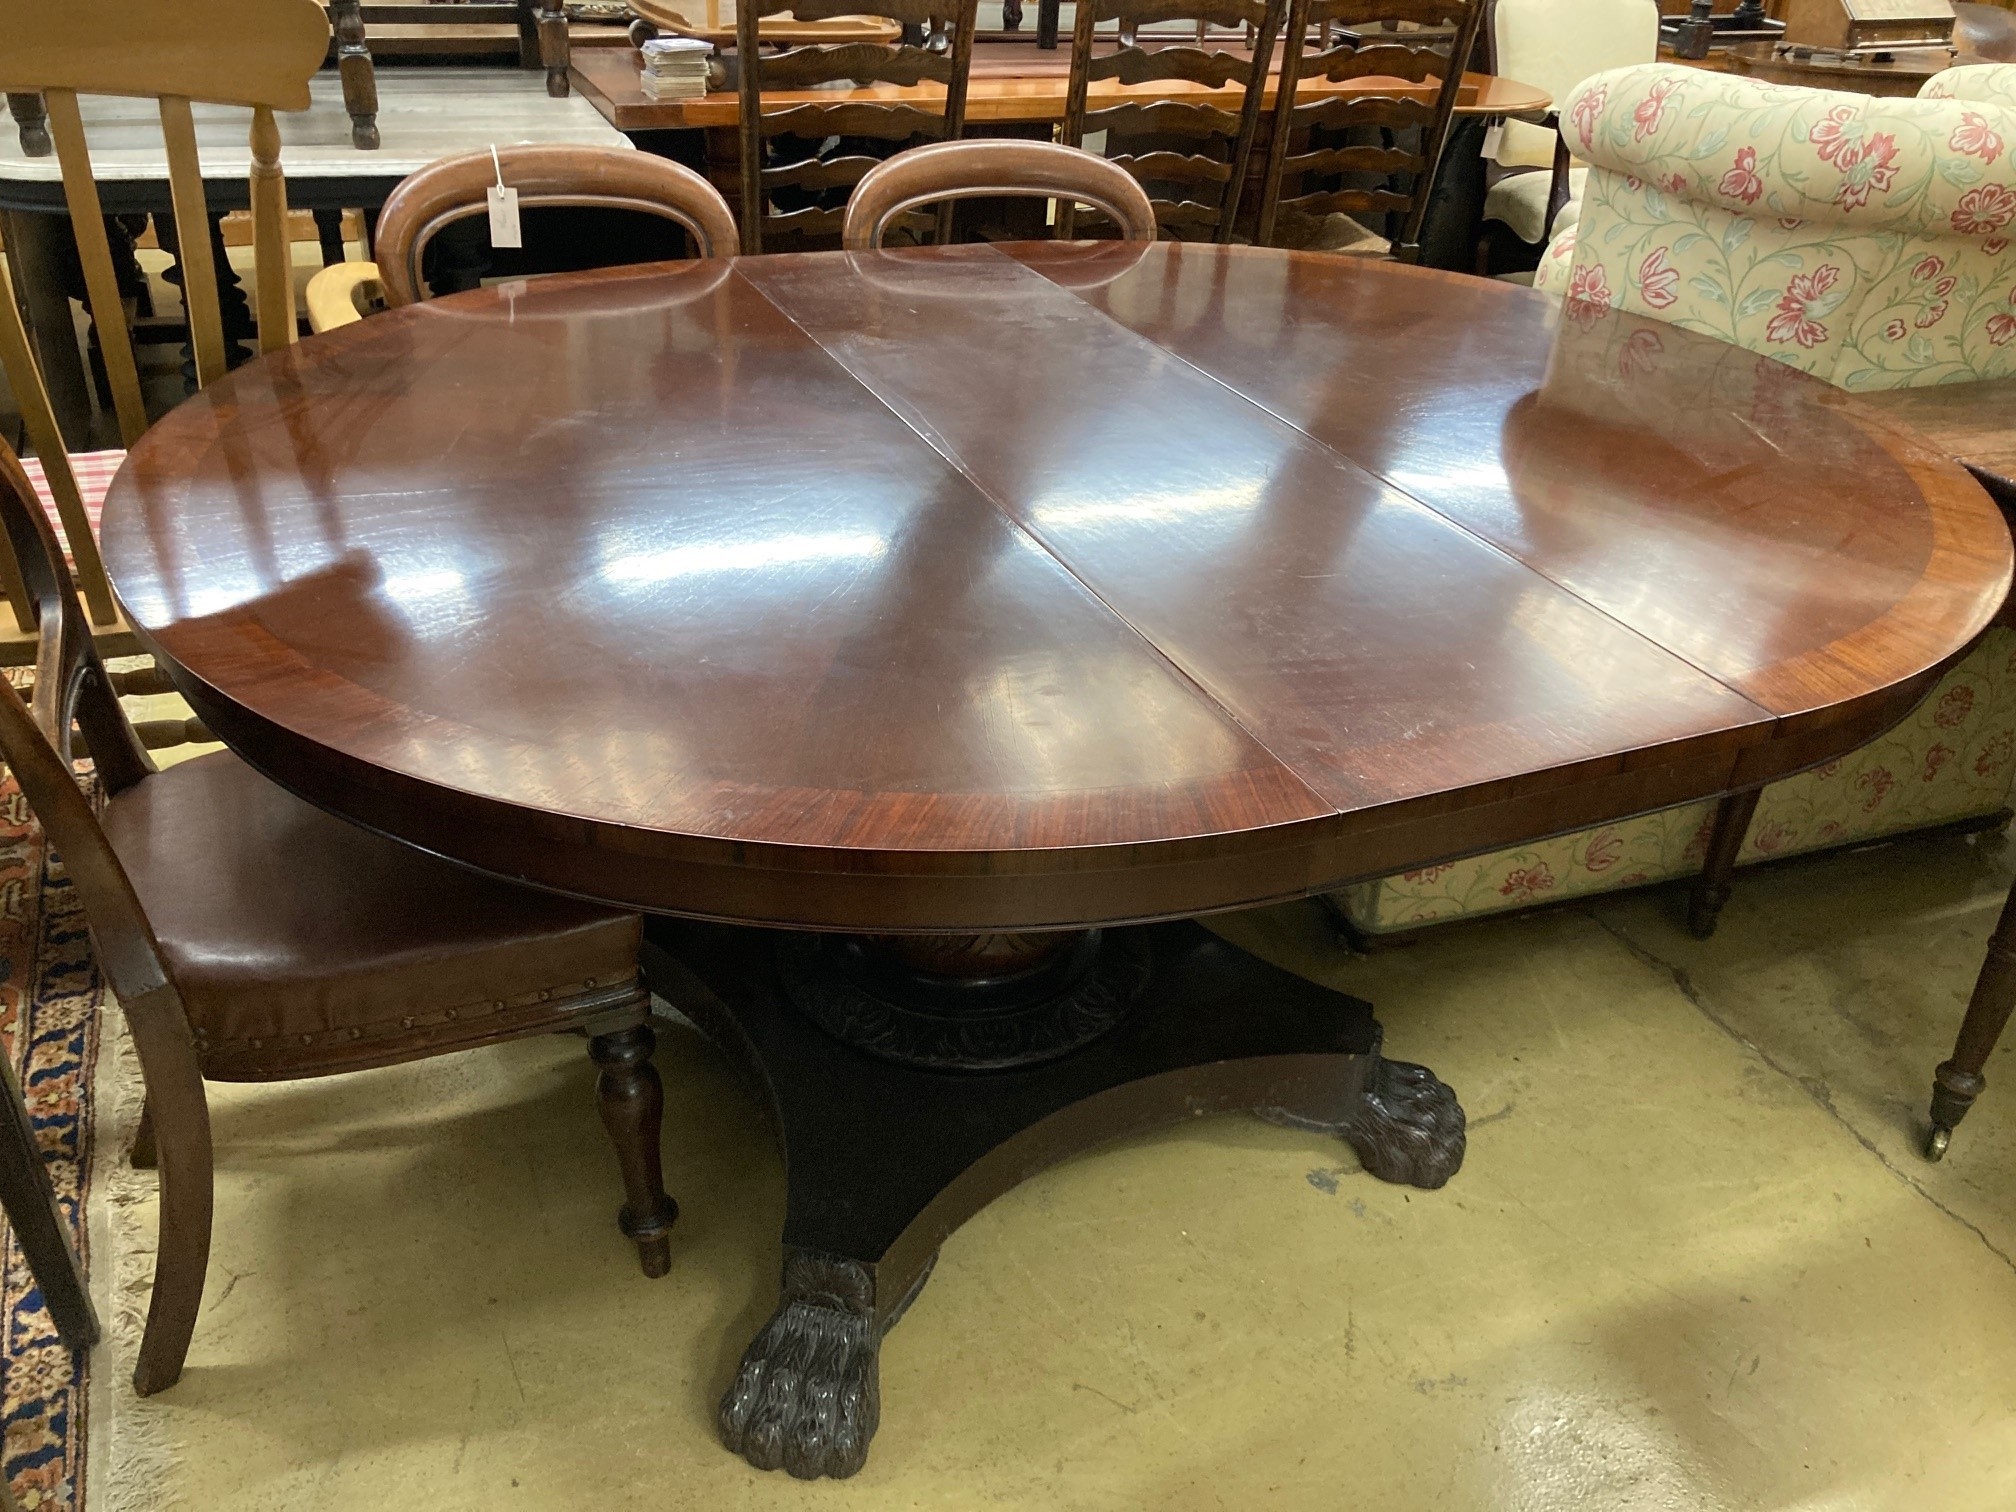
[(49, 1025)]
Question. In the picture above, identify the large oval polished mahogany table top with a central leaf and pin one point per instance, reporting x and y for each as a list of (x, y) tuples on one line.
[(1031, 586)]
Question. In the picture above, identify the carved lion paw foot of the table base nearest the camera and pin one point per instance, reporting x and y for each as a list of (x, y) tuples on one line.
[(807, 1396)]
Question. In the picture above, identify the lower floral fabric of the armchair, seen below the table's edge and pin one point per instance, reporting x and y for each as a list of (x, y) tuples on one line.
[(1950, 759)]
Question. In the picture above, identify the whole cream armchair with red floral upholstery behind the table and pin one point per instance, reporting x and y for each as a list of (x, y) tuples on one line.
[(1864, 241)]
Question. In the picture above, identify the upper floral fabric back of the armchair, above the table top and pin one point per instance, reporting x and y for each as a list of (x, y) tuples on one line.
[(1795, 221)]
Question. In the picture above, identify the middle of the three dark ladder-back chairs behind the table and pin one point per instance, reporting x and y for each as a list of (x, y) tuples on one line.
[(1194, 184)]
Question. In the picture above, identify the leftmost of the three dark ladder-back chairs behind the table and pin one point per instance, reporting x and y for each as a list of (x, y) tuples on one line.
[(878, 120)]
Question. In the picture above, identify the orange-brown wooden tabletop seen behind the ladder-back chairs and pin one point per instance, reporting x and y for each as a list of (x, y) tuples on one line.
[(1009, 84)]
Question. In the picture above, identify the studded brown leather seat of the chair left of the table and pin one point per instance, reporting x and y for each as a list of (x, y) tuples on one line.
[(313, 944)]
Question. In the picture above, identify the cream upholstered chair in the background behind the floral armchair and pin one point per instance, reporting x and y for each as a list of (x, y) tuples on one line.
[(1555, 45)]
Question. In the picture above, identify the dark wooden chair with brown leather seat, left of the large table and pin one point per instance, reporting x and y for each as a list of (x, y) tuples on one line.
[(249, 936)]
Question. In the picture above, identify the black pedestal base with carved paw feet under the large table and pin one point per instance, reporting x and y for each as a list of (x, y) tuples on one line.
[(884, 1160)]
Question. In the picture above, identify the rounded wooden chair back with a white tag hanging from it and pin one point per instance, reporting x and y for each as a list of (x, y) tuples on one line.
[(457, 188)]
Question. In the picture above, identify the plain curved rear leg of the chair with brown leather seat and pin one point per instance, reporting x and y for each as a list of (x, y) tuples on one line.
[(180, 1118)]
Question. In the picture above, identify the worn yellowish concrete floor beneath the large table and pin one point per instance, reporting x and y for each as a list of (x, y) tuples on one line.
[(1692, 1261)]
